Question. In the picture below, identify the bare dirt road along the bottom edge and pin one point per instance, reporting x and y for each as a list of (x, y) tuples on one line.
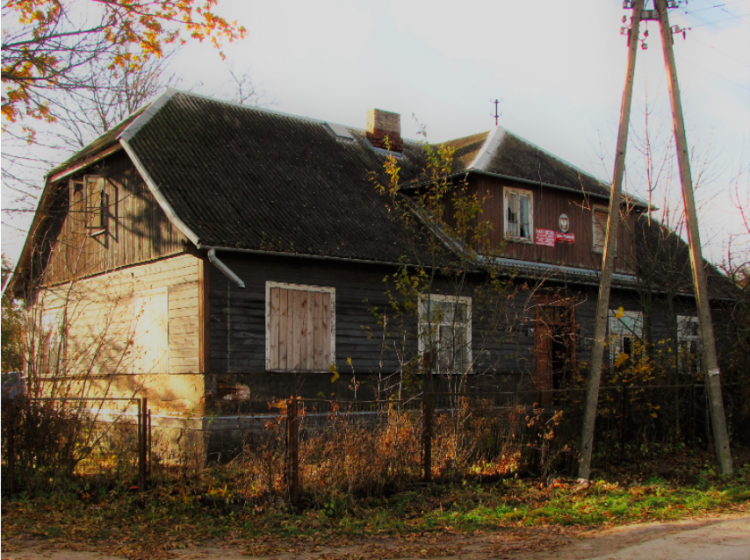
[(705, 539)]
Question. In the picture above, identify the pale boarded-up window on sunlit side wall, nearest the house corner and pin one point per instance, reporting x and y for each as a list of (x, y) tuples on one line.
[(151, 331)]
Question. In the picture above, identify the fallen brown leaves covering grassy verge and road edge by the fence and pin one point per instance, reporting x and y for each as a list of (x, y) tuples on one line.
[(504, 516)]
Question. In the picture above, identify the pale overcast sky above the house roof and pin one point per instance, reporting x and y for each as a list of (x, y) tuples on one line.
[(558, 67)]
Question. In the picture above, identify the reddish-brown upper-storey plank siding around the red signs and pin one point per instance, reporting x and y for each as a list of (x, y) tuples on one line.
[(548, 205)]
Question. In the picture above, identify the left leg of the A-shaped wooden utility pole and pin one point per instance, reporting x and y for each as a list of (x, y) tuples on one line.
[(608, 258)]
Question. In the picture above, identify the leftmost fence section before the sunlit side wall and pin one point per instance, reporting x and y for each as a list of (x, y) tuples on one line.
[(48, 442)]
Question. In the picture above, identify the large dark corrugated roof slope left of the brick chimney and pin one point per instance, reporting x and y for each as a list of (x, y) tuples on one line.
[(246, 178)]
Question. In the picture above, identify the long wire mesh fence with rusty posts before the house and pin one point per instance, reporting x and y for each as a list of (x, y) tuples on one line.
[(311, 449)]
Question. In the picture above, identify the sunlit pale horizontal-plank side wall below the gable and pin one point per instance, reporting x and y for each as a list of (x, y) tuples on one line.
[(100, 326)]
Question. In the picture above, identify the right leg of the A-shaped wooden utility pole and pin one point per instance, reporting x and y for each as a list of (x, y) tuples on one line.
[(708, 346)]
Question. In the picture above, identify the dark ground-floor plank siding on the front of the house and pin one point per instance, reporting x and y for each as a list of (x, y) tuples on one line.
[(504, 353)]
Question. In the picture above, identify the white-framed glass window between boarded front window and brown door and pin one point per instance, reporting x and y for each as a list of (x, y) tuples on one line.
[(445, 332)]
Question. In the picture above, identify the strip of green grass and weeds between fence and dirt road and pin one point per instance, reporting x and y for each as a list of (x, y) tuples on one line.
[(176, 508)]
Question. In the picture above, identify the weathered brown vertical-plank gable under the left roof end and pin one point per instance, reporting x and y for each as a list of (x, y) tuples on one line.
[(137, 229)]
